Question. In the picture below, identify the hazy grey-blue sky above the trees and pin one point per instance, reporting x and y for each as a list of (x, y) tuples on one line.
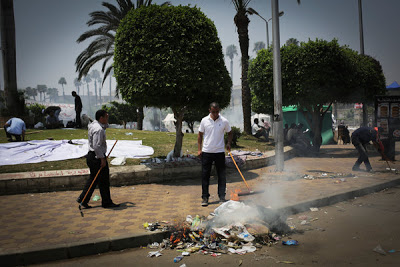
[(47, 30)]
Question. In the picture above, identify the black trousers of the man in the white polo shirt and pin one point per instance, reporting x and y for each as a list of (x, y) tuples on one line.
[(206, 163)]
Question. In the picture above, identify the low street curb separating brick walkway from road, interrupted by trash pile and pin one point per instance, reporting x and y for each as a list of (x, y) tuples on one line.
[(79, 249)]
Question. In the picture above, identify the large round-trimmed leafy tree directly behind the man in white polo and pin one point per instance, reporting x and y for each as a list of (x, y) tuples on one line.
[(171, 57)]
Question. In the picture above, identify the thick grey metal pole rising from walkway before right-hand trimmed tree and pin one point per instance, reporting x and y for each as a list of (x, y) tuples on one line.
[(278, 114)]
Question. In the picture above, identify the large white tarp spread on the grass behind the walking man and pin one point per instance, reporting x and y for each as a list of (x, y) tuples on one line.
[(49, 150)]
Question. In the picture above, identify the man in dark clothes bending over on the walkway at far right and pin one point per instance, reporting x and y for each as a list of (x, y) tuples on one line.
[(360, 138)]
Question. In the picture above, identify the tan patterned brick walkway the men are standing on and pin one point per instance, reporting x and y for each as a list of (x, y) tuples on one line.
[(34, 220)]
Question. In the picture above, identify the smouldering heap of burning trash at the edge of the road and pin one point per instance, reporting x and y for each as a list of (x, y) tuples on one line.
[(233, 228)]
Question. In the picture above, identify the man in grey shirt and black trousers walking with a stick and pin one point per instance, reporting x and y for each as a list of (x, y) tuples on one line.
[(96, 159)]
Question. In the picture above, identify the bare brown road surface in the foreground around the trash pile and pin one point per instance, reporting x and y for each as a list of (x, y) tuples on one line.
[(340, 235)]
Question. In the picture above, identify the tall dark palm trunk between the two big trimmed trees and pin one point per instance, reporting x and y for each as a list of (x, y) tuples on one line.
[(242, 23)]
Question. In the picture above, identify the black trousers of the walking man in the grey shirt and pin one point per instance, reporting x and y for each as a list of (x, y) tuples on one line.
[(103, 180)]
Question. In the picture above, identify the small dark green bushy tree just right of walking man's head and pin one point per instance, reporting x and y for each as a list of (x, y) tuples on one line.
[(121, 113)]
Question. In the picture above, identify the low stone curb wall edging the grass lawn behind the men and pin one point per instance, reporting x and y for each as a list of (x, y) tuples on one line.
[(50, 181)]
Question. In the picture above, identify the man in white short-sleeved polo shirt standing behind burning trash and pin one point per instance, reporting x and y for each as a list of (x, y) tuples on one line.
[(212, 149)]
